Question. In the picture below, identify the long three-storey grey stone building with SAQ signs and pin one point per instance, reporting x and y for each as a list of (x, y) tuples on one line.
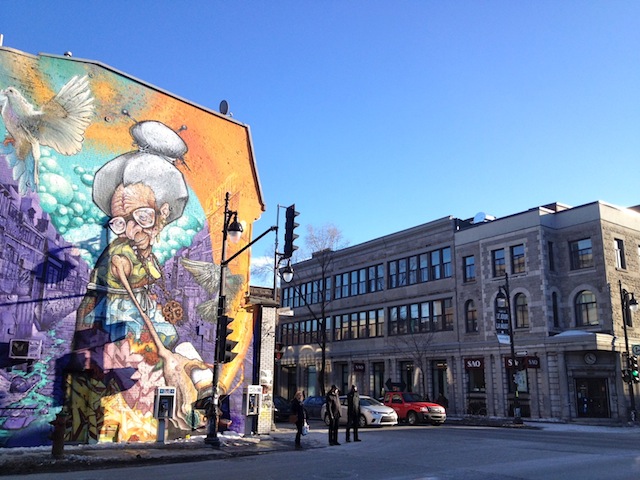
[(419, 310)]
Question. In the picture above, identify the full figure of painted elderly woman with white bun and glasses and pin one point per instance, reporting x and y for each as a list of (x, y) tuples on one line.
[(141, 192)]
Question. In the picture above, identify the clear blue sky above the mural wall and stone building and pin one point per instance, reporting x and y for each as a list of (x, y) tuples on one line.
[(377, 116)]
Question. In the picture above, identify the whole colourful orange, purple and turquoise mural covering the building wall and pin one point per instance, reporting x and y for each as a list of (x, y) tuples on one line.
[(107, 270)]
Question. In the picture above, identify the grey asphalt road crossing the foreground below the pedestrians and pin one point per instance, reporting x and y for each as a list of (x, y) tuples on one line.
[(448, 452)]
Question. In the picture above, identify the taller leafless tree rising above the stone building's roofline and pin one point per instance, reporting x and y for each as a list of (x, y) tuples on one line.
[(320, 246)]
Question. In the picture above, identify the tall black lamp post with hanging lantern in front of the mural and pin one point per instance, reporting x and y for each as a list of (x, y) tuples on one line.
[(232, 230)]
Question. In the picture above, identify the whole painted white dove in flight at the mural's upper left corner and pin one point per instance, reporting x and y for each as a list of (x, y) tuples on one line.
[(60, 123)]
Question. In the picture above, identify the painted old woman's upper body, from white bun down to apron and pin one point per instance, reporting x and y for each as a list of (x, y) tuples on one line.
[(141, 192)]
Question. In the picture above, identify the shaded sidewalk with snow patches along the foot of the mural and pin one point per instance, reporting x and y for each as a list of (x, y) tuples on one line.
[(85, 457)]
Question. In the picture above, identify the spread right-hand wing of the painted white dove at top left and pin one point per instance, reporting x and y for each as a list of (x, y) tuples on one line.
[(63, 120)]
